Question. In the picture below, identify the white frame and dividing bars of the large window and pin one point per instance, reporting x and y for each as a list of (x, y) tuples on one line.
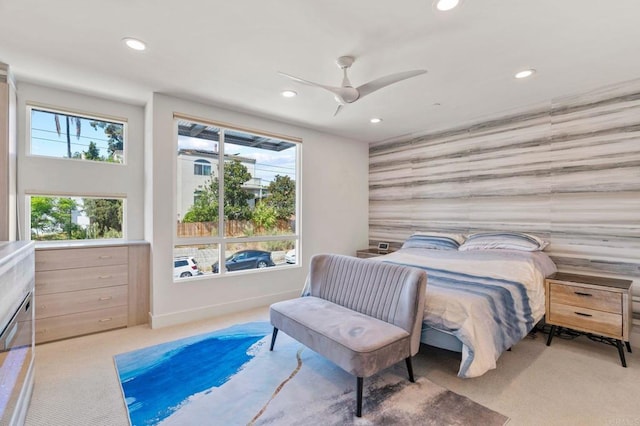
[(221, 240)]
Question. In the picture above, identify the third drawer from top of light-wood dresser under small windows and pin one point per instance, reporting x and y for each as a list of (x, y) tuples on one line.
[(56, 304)]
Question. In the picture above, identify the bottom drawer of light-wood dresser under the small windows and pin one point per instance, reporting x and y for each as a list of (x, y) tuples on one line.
[(64, 326)]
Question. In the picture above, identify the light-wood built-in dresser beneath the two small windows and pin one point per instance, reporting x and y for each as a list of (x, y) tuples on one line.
[(90, 288)]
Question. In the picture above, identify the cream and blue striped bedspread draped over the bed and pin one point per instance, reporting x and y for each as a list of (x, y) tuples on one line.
[(488, 299)]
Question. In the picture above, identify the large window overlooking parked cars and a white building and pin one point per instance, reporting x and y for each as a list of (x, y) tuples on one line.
[(240, 213)]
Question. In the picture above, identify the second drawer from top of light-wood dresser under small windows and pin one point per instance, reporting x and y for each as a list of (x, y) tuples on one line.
[(57, 281)]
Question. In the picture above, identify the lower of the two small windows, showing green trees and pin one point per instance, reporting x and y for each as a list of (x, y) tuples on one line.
[(75, 218)]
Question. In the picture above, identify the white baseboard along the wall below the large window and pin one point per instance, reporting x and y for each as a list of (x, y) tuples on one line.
[(212, 311)]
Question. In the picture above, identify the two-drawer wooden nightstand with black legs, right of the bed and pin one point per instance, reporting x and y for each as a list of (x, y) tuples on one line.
[(592, 305)]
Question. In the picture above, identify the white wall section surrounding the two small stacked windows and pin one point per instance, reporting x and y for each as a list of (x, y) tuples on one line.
[(63, 176)]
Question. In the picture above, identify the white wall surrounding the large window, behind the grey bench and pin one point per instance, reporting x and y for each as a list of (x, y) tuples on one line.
[(334, 215)]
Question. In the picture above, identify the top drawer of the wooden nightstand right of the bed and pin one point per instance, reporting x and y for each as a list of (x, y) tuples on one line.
[(600, 300)]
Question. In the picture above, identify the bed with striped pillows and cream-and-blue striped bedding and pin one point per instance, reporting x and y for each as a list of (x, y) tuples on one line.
[(485, 291)]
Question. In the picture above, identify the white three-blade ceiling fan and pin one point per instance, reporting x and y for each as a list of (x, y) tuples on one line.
[(346, 93)]
